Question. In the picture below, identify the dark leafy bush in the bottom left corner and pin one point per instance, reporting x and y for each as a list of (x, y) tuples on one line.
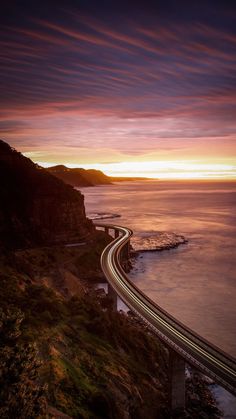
[(21, 394)]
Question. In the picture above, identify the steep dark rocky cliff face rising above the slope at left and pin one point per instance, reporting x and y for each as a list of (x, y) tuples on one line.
[(35, 207)]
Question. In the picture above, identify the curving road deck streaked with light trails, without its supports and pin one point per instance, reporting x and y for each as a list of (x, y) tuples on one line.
[(197, 351)]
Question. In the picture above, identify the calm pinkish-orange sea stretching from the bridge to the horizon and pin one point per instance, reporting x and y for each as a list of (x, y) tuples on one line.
[(196, 282)]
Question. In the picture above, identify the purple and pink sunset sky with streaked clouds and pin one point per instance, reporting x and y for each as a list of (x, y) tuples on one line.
[(138, 89)]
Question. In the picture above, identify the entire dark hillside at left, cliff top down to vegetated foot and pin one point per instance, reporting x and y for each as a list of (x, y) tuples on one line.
[(64, 353)]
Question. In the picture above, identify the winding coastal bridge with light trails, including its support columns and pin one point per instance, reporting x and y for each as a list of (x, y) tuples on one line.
[(184, 344)]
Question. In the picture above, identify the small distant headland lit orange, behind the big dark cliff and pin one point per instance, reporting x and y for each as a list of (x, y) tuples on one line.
[(79, 177)]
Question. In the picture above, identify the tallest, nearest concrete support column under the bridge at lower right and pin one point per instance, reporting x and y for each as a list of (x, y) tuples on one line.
[(177, 380)]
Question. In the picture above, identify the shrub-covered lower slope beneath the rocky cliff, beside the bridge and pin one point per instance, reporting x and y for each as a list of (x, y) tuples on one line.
[(96, 363)]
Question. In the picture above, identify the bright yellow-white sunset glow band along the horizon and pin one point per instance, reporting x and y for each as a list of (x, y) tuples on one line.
[(161, 169)]
